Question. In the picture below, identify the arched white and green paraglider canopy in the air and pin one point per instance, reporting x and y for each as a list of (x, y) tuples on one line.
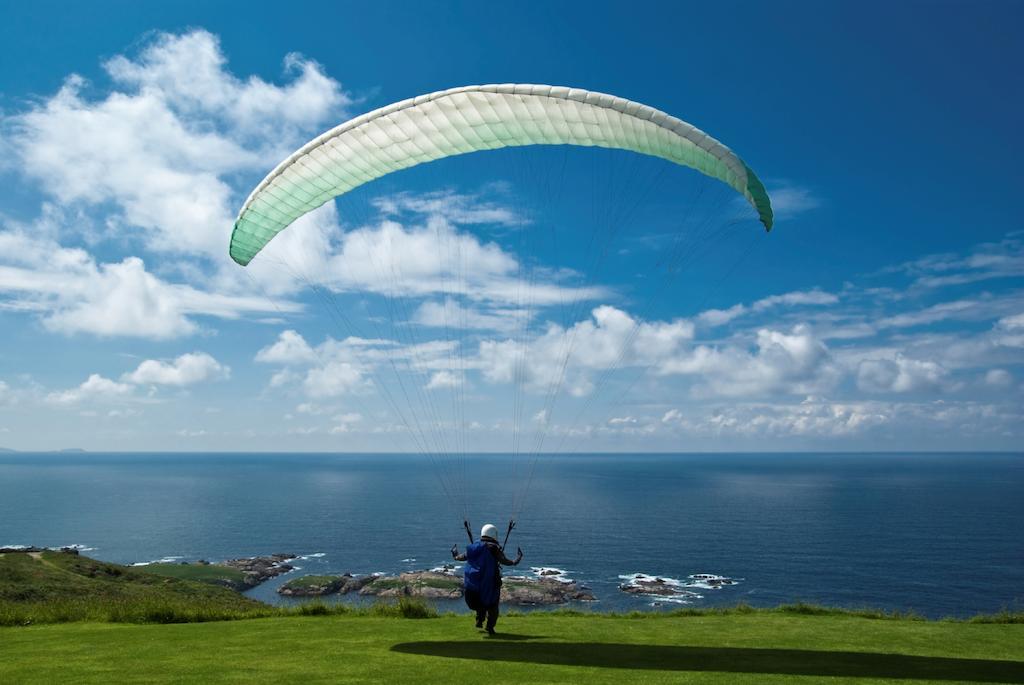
[(471, 119)]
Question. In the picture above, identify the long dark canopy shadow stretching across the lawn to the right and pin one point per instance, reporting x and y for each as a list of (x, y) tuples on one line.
[(728, 660)]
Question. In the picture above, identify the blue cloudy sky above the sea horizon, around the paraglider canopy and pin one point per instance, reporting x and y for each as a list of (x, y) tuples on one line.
[(884, 313)]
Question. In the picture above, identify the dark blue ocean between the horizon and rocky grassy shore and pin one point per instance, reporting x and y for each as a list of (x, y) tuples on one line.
[(937, 534)]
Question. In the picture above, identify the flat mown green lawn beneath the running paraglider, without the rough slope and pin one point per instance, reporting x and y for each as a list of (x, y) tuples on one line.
[(536, 649)]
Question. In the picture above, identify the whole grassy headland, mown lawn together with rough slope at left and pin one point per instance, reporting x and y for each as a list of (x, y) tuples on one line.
[(136, 626)]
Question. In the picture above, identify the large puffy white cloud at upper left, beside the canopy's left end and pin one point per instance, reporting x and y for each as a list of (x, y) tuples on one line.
[(160, 146)]
